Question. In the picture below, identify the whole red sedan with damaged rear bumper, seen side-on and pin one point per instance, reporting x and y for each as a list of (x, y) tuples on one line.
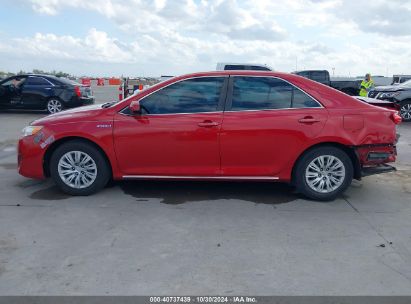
[(225, 125)]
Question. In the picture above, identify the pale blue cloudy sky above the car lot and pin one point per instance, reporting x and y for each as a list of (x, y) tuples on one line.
[(167, 37)]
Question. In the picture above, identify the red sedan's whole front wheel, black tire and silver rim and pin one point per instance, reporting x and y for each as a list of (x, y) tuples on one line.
[(86, 180)]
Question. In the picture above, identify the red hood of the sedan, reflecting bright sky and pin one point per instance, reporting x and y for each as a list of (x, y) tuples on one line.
[(72, 115)]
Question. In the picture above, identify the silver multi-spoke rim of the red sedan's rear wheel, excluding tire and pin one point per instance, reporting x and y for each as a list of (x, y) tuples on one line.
[(325, 174)]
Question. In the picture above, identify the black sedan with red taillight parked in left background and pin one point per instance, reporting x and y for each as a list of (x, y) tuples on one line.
[(43, 92)]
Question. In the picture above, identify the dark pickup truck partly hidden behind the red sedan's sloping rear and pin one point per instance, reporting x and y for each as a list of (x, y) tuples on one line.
[(348, 86)]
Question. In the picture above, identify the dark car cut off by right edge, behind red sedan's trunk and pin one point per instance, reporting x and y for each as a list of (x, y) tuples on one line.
[(400, 95)]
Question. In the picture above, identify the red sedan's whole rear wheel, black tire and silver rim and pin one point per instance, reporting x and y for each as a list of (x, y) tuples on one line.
[(326, 183)]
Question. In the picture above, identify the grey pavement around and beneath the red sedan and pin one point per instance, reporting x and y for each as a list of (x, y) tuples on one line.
[(196, 238)]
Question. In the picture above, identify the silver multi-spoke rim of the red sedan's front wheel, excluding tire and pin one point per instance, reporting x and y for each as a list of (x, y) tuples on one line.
[(77, 169)]
